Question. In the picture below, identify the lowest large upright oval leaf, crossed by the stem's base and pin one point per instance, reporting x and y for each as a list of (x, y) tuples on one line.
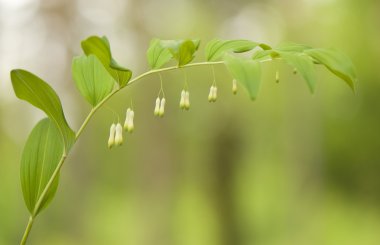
[(41, 155)]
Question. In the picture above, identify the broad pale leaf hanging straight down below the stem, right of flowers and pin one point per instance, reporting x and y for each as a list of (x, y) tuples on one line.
[(246, 72)]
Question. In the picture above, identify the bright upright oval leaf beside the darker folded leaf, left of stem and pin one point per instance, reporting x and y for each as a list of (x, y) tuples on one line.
[(91, 78)]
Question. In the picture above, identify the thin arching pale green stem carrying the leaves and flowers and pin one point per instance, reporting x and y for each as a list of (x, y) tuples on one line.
[(83, 126)]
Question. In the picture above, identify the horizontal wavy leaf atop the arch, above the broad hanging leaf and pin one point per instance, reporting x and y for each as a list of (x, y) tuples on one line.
[(216, 48)]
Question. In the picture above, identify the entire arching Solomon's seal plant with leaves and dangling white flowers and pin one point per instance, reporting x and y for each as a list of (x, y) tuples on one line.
[(98, 77)]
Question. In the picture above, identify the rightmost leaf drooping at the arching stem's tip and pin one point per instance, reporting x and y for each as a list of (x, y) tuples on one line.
[(336, 62)]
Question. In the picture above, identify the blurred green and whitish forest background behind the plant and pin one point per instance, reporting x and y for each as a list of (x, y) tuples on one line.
[(288, 169)]
